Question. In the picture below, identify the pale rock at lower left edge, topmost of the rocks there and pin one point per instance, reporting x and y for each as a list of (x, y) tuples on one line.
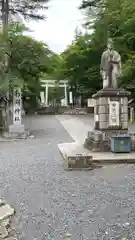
[(6, 211)]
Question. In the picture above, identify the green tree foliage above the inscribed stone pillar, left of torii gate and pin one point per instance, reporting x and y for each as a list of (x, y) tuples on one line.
[(28, 60)]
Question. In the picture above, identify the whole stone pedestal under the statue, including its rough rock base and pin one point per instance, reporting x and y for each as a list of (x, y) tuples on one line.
[(110, 118)]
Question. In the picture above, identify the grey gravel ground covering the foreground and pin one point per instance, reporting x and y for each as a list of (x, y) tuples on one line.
[(49, 201)]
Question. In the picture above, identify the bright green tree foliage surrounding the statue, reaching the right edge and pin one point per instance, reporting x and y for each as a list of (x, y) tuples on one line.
[(81, 60)]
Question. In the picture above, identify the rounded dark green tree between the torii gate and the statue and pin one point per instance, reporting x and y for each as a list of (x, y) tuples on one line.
[(80, 66)]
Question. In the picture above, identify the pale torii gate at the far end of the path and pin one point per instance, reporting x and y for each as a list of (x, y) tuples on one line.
[(52, 83)]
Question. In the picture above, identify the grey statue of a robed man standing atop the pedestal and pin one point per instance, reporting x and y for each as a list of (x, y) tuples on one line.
[(110, 67)]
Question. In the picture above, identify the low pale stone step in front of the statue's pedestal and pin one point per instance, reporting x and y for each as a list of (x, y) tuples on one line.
[(74, 154)]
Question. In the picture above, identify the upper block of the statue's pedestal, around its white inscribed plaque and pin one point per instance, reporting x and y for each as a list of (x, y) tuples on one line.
[(103, 98)]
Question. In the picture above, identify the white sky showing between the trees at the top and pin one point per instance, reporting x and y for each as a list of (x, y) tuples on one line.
[(63, 16)]
